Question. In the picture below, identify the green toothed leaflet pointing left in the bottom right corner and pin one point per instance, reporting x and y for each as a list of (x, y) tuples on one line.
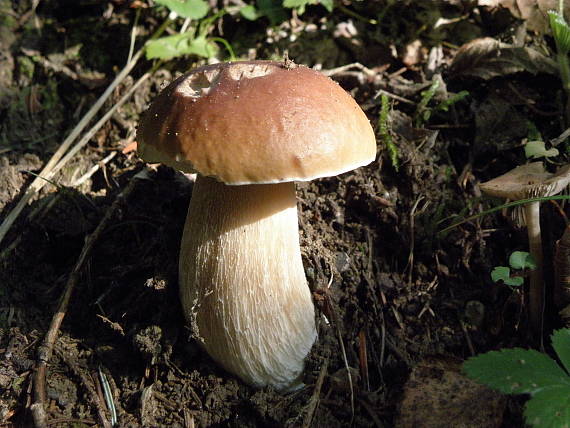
[(516, 371)]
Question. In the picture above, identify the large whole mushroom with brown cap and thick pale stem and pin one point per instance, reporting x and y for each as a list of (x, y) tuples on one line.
[(250, 130)]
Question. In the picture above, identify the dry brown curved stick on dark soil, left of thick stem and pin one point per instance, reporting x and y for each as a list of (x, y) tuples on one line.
[(46, 348)]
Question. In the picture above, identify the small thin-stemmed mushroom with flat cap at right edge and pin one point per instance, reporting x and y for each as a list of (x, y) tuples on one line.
[(524, 182)]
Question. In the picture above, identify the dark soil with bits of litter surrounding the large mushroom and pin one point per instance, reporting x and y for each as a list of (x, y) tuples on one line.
[(403, 300)]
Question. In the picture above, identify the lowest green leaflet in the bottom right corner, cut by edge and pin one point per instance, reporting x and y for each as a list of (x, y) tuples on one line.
[(549, 408)]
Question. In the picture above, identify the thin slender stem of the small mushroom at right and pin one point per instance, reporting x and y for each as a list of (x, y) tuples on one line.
[(536, 292)]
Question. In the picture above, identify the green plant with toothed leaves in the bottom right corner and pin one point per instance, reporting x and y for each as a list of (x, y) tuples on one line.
[(526, 371)]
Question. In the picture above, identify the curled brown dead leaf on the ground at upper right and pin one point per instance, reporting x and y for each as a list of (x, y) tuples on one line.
[(487, 58)]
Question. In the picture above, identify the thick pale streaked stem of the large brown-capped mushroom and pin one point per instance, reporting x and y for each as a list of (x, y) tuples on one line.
[(243, 286)]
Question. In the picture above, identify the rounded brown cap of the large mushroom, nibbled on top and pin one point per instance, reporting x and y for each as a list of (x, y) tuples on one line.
[(256, 122)]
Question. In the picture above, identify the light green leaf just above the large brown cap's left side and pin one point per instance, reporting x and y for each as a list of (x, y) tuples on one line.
[(180, 44)]
